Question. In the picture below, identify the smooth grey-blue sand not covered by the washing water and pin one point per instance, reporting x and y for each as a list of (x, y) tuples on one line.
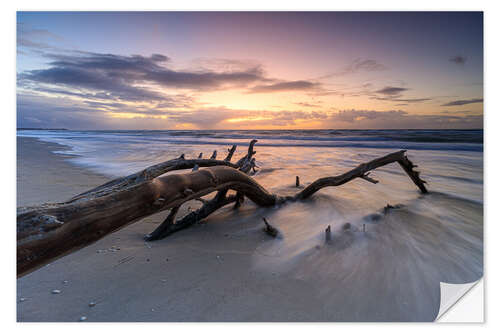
[(201, 274)]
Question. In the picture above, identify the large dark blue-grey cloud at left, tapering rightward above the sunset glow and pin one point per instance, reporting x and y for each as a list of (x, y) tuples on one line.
[(129, 78)]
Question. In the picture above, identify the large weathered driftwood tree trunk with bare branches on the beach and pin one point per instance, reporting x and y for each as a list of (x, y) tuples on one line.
[(49, 231)]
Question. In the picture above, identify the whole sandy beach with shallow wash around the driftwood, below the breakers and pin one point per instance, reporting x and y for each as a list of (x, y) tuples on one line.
[(227, 269)]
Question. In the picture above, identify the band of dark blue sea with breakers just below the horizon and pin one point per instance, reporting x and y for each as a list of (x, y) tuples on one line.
[(453, 140)]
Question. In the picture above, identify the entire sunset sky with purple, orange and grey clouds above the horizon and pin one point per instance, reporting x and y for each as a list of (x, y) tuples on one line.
[(249, 70)]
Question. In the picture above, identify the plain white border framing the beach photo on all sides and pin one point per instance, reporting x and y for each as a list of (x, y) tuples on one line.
[(492, 140)]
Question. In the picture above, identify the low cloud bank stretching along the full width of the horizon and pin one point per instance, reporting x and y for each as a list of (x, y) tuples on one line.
[(39, 111)]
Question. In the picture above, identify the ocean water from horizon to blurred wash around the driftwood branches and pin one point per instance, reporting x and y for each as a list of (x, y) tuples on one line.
[(402, 255)]
